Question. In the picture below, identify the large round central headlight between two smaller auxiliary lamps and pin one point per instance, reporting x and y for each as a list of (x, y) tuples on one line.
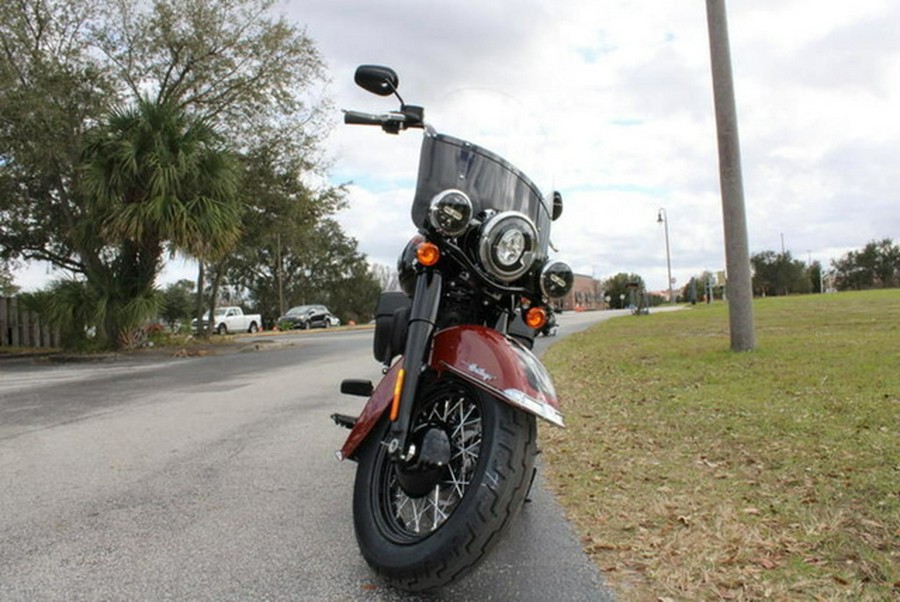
[(507, 246)]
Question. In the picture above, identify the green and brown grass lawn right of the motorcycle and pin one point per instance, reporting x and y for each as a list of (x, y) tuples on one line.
[(696, 473)]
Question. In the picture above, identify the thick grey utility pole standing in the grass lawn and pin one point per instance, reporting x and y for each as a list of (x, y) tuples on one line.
[(737, 254)]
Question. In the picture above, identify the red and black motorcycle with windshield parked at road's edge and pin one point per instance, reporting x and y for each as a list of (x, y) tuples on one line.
[(446, 442)]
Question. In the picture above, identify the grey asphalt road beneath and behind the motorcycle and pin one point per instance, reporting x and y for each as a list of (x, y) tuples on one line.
[(214, 478)]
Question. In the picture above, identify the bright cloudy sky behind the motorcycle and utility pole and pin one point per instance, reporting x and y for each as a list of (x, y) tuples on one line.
[(610, 102)]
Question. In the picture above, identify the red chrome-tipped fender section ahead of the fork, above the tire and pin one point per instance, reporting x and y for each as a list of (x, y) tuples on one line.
[(500, 366)]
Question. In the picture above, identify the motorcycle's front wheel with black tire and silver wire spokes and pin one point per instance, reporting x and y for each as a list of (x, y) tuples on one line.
[(421, 526)]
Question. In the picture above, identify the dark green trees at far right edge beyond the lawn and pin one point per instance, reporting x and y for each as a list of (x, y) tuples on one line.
[(877, 265)]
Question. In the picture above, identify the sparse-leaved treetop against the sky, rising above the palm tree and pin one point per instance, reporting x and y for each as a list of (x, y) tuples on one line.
[(230, 62)]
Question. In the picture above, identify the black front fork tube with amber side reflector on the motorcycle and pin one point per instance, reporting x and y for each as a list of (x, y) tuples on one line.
[(423, 315)]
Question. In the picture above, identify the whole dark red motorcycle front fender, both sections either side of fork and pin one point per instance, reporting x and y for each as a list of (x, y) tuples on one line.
[(482, 357)]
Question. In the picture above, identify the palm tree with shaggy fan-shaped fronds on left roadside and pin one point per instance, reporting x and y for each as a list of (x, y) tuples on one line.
[(157, 180)]
